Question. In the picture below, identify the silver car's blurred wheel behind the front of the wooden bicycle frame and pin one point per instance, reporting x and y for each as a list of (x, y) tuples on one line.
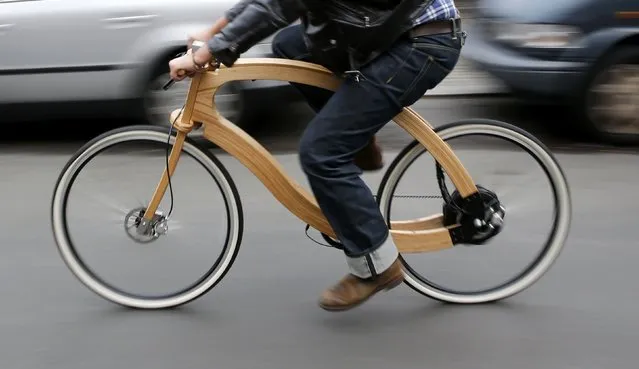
[(158, 103)]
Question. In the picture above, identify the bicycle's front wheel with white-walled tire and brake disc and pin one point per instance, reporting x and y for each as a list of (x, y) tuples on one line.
[(96, 211)]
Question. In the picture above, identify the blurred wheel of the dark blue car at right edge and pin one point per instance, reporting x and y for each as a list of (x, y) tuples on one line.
[(610, 106)]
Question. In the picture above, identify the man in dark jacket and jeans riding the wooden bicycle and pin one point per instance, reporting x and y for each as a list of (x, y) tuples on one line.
[(415, 53)]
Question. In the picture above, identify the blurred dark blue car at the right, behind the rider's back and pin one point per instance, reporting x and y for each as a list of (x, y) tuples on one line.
[(581, 53)]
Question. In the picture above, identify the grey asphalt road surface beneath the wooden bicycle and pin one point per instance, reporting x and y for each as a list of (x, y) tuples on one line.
[(582, 314)]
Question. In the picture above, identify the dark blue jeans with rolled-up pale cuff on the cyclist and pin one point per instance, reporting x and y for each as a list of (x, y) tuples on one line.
[(345, 122)]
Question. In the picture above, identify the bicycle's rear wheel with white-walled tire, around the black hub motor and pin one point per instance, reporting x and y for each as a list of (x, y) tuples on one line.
[(468, 274)]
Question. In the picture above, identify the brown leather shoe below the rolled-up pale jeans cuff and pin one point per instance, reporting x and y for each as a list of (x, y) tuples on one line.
[(351, 291)]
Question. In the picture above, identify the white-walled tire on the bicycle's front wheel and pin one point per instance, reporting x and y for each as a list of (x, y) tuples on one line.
[(152, 134)]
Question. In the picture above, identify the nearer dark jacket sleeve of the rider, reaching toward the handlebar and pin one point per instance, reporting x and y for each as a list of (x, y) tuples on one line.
[(257, 20)]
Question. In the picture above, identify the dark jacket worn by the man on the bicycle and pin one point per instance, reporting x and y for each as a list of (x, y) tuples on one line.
[(342, 34)]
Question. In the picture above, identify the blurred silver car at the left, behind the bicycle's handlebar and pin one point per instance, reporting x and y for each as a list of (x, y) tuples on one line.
[(114, 51)]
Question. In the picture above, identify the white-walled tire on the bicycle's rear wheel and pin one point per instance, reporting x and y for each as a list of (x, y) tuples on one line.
[(561, 193)]
